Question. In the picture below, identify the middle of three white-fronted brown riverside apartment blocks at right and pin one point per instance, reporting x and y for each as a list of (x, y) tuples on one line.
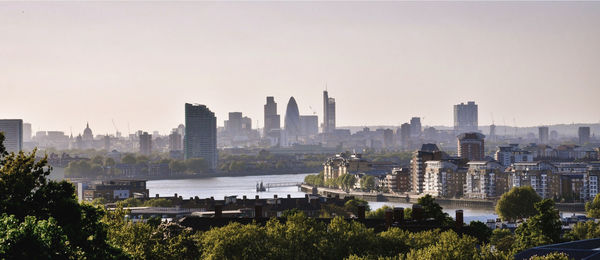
[(485, 180)]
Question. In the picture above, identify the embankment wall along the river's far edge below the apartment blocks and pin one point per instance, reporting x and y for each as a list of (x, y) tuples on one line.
[(412, 198)]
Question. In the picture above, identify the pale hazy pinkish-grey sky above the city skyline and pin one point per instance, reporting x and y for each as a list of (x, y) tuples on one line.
[(62, 64)]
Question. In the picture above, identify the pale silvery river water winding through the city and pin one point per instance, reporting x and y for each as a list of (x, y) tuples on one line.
[(220, 187)]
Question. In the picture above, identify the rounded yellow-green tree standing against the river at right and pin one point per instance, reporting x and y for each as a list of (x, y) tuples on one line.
[(518, 203)]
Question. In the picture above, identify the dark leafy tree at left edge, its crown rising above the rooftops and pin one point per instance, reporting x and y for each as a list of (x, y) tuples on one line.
[(25, 191)]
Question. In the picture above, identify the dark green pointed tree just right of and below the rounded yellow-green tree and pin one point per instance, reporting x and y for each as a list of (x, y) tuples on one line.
[(542, 228)]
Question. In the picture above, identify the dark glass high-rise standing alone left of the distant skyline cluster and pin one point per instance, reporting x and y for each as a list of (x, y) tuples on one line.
[(200, 140)]
